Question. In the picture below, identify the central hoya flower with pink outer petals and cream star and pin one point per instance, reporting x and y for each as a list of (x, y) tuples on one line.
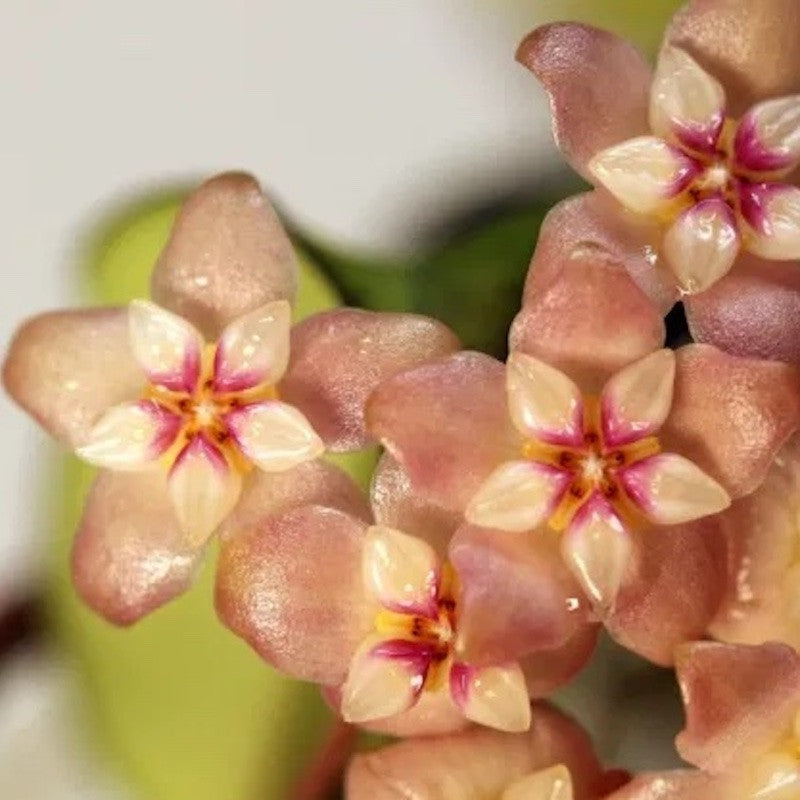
[(593, 439)]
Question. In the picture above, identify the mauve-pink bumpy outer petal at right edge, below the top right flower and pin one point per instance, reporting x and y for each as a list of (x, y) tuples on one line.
[(753, 311)]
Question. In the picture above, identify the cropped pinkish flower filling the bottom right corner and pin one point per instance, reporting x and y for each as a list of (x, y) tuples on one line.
[(742, 718)]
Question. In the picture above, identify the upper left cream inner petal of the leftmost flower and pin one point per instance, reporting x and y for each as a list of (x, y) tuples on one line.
[(168, 348)]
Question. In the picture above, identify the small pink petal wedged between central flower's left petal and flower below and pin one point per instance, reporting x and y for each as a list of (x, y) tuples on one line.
[(397, 505)]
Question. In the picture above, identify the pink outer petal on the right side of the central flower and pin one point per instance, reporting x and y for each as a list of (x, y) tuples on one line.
[(731, 415)]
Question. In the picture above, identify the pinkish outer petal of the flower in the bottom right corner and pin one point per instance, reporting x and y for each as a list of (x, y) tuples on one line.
[(738, 700)]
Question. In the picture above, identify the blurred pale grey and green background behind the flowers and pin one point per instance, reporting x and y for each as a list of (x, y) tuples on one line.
[(412, 160)]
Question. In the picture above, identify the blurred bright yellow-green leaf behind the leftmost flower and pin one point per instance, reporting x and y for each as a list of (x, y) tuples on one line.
[(182, 707)]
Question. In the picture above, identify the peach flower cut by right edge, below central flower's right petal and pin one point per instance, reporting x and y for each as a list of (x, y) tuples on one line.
[(762, 601)]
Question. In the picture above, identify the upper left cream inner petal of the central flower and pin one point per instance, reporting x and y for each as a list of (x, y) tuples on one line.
[(543, 402)]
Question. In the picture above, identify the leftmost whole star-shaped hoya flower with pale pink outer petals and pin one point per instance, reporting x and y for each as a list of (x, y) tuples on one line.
[(188, 401)]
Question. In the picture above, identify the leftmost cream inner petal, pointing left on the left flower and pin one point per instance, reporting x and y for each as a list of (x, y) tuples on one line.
[(130, 436)]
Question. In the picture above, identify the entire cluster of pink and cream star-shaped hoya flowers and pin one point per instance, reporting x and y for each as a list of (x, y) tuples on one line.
[(595, 479)]
